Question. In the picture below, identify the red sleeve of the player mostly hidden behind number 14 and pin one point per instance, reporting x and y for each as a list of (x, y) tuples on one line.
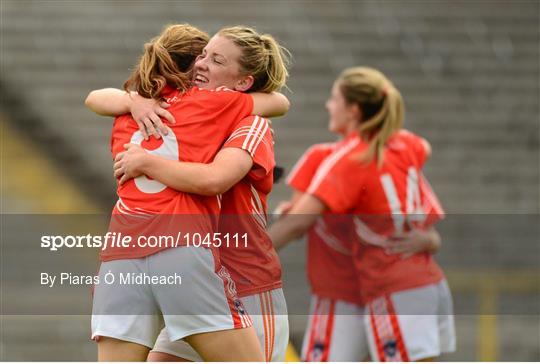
[(306, 167)]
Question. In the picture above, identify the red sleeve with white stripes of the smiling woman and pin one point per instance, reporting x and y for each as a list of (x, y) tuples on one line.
[(253, 135)]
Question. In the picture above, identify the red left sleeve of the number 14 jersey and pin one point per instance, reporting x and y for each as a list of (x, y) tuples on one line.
[(332, 184)]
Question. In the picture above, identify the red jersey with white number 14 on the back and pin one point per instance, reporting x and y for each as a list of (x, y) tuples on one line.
[(384, 201)]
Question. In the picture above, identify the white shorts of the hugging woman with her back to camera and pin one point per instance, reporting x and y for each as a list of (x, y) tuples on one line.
[(136, 311)]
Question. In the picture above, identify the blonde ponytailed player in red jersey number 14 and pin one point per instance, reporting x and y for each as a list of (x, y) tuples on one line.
[(368, 111)]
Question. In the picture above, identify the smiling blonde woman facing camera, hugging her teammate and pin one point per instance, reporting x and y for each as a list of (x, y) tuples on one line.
[(240, 59)]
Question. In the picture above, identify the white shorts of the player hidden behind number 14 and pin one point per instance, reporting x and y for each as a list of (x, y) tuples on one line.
[(335, 332)]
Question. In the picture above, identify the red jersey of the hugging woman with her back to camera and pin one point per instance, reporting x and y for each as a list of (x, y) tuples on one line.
[(204, 119)]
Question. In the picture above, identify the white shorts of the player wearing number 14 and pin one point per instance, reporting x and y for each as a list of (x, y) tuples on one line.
[(411, 325)]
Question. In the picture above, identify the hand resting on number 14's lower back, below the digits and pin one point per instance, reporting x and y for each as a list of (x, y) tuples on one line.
[(412, 242)]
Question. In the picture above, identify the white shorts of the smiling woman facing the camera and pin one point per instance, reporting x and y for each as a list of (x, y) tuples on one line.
[(268, 311)]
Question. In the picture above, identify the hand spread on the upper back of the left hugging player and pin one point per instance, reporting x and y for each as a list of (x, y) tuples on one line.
[(147, 113)]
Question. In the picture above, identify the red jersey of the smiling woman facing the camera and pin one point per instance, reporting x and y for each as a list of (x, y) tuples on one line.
[(254, 265)]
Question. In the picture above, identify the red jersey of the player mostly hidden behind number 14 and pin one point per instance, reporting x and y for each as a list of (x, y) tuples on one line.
[(330, 265)]
